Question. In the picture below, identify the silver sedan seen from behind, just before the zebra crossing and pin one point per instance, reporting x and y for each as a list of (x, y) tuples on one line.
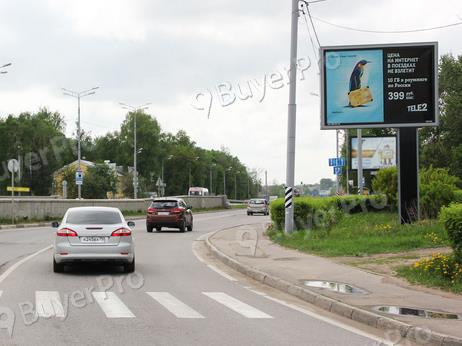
[(93, 234)]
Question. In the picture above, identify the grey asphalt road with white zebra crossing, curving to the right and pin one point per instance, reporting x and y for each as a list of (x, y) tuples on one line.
[(173, 298)]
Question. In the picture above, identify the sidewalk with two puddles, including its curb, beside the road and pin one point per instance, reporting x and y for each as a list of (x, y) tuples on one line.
[(285, 269)]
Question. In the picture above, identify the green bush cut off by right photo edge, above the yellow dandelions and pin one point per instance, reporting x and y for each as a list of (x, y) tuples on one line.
[(451, 217)]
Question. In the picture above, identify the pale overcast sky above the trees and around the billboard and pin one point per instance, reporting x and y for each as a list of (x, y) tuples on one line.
[(177, 54)]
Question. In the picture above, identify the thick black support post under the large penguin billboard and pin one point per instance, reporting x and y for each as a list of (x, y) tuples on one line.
[(408, 174)]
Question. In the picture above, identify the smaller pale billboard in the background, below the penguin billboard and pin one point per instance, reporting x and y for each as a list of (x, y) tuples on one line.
[(378, 152)]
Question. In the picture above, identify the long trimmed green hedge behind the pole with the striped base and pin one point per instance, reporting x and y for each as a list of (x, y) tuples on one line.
[(313, 212)]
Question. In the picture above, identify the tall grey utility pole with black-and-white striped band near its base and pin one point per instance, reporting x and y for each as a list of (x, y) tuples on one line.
[(291, 122)]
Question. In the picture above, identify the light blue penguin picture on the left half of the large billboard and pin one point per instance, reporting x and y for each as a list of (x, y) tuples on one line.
[(354, 87)]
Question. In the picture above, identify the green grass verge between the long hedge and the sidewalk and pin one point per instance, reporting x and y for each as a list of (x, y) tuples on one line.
[(364, 234)]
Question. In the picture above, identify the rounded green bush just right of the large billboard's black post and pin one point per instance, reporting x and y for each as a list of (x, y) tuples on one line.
[(436, 190)]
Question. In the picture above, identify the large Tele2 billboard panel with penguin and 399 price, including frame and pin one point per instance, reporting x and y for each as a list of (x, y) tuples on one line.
[(379, 86)]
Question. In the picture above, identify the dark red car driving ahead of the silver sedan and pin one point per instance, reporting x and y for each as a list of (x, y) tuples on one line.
[(169, 212)]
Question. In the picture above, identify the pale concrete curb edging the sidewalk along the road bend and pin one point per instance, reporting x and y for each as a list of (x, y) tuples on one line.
[(413, 333)]
